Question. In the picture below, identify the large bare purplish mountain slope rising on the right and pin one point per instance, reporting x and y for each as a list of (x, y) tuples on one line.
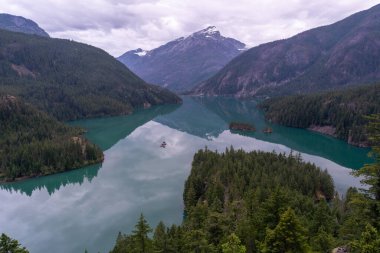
[(334, 56)]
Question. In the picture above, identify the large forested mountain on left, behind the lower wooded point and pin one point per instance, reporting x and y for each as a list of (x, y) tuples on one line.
[(71, 80)]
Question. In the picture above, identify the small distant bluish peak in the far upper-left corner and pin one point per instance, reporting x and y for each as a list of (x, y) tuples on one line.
[(20, 24)]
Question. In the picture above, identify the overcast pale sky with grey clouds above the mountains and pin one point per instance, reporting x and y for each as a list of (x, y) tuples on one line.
[(120, 25)]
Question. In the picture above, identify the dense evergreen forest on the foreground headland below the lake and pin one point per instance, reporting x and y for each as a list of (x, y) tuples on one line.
[(260, 202)]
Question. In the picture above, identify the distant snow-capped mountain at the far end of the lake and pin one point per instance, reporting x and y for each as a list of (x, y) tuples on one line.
[(184, 62)]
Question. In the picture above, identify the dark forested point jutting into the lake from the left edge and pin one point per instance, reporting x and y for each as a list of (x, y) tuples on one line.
[(32, 143)]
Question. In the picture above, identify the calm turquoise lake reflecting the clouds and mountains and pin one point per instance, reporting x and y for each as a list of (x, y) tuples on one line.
[(86, 208)]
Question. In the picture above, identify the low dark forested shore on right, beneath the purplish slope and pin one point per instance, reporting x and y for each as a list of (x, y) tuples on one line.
[(338, 113)]
